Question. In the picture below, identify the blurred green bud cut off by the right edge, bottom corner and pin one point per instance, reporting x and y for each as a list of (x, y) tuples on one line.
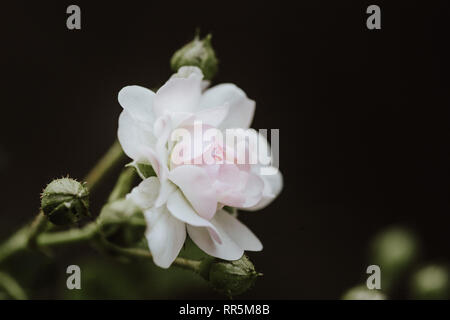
[(431, 282)]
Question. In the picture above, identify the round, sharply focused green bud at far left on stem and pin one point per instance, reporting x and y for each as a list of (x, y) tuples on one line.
[(65, 201)]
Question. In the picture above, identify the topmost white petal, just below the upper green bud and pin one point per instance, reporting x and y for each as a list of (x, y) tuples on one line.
[(181, 93)]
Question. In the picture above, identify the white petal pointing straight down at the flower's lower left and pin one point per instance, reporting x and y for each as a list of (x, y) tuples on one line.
[(165, 236)]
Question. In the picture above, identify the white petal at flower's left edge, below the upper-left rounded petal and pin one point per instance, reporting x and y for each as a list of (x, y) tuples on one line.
[(133, 138)]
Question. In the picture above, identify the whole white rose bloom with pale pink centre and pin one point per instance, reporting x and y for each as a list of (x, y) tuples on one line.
[(187, 195)]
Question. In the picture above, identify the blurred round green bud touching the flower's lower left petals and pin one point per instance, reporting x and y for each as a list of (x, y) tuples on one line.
[(122, 222)]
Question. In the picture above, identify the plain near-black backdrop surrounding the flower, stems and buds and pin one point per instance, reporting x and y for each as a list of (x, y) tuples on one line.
[(363, 118)]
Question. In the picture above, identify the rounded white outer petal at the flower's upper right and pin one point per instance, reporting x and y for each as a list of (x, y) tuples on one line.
[(241, 110)]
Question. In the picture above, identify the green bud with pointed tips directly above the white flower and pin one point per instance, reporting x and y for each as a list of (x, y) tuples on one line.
[(198, 52)]
